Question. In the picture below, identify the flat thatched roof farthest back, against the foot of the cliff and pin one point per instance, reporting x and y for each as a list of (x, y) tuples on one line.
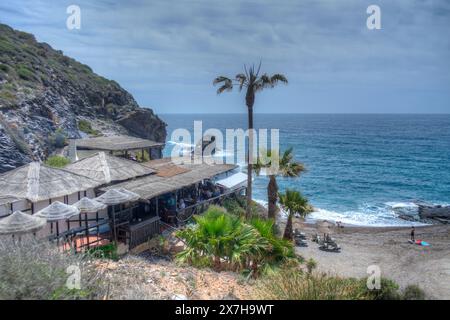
[(116, 143)]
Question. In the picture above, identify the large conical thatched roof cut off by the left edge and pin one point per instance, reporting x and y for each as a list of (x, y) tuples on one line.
[(36, 182)]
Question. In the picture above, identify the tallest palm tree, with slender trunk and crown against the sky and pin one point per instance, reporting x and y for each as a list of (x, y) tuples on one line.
[(253, 82)]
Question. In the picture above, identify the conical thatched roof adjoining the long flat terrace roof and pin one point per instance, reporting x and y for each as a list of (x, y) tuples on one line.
[(105, 168)]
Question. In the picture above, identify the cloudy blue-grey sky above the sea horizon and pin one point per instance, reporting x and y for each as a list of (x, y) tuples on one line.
[(166, 53)]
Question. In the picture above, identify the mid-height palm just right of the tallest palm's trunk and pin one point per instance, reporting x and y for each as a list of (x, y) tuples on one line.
[(285, 167)]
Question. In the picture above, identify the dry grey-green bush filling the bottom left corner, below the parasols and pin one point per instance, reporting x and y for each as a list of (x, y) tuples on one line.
[(32, 269)]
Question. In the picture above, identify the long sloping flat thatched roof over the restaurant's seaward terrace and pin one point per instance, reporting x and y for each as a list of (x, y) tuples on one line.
[(155, 185)]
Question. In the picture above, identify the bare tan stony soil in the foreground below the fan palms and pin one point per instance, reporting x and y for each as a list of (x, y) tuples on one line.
[(139, 278)]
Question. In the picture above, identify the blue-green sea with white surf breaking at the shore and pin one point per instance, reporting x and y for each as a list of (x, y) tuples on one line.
[(362, 169)]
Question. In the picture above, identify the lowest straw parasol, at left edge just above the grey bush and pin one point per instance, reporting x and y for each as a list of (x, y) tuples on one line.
[(20, 223)]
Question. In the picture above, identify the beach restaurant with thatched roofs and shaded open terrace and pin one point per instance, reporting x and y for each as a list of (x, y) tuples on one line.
[(162, 195)]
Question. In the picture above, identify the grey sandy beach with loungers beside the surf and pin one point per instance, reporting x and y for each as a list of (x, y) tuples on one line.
[(427, 267)]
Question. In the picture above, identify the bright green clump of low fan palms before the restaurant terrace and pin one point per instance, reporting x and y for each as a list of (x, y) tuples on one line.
[(226, 242)]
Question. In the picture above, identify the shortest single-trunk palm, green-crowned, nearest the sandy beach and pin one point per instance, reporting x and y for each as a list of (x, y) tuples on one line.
[(294, 202)]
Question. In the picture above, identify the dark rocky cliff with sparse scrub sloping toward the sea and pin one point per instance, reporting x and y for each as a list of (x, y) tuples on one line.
[(44, 95)]
